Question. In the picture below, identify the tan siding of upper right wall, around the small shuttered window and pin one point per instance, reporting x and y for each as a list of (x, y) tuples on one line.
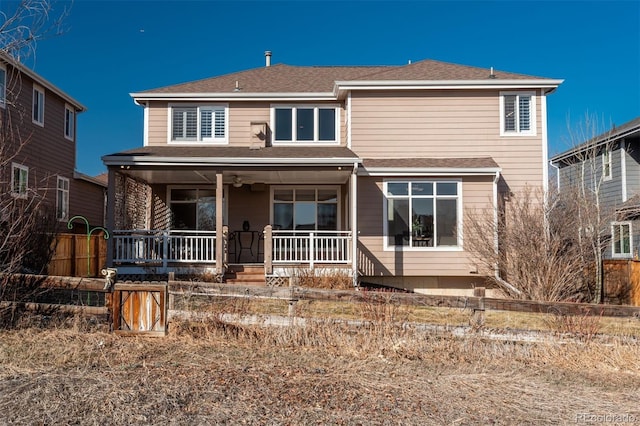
[(455, 123)]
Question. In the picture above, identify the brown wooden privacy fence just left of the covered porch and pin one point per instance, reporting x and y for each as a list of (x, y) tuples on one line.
[(70, 256)]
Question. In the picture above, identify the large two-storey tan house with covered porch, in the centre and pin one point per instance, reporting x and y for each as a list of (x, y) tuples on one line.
[(367, 168)]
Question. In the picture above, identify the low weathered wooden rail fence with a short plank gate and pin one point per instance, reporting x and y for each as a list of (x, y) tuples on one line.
[(142, 308)]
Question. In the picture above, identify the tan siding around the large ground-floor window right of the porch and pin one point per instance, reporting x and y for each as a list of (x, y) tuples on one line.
[(374, 260)]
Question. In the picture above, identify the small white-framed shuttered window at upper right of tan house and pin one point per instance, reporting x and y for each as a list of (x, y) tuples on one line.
[(517, 113)]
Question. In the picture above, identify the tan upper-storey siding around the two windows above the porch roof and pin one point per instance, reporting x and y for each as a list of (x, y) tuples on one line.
[(241, 115)]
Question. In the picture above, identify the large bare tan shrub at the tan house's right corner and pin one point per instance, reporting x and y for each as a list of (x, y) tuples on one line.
[(534, 248)]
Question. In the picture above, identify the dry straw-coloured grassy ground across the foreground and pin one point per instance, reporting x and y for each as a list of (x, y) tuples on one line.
[(210, 372)]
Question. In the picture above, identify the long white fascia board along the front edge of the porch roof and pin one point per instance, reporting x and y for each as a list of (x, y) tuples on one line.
[(118, 160)]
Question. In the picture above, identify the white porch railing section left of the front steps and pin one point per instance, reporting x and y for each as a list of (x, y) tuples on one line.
[(164, 246)]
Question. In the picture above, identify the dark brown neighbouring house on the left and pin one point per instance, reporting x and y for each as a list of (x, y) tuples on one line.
[(38, 125)]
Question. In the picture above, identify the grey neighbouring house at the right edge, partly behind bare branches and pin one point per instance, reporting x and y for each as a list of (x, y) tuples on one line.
[(610, 162)]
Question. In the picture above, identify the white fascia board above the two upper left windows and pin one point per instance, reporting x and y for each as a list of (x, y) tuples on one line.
[(218, 97)]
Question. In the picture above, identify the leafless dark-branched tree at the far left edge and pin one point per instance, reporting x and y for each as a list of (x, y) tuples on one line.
[(27, 223)]
